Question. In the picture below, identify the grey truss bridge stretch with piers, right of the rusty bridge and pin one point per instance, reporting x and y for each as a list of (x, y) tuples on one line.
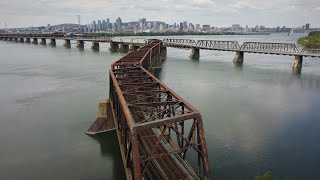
[(247, 47)]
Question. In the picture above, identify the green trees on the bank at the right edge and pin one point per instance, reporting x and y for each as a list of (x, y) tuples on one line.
[(312, 41)]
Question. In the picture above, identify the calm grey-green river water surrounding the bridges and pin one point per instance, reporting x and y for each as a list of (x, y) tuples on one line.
[(257, 117)]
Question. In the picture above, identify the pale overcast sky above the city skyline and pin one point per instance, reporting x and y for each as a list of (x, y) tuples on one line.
[(214, 12)]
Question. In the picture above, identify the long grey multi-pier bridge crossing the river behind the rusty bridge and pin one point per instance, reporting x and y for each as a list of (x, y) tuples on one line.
[(287, 49)]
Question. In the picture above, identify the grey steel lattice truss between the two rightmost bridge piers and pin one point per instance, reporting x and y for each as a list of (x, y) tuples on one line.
[(270, 47)]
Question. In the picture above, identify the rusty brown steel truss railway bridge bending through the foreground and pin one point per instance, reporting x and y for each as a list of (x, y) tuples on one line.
[(158, 130)]
